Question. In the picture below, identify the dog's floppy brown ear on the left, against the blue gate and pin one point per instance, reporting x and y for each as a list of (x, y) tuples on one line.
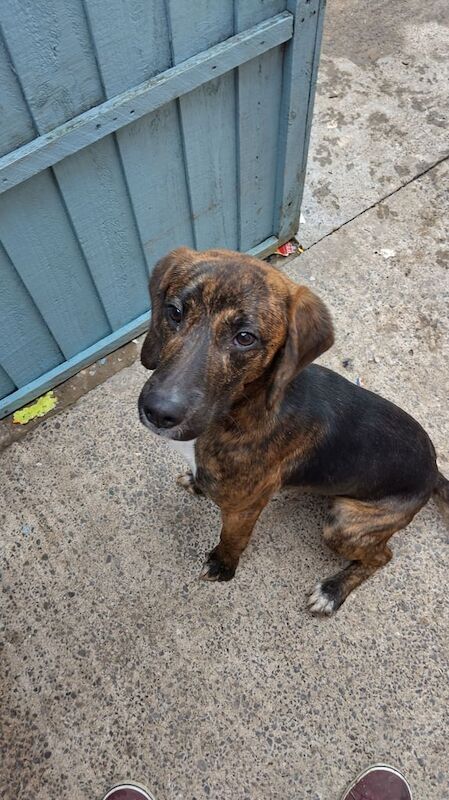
[(151, 348)]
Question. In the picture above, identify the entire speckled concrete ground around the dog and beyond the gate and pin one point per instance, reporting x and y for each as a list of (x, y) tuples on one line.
[(118, 663)]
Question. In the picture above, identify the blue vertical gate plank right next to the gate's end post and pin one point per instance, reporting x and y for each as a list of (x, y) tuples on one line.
[(259, 90)]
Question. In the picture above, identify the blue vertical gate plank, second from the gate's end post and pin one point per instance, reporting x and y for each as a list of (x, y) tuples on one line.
[(208, 123)]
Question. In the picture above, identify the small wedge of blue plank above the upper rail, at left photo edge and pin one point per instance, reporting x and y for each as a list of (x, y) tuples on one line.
[(16, 124)]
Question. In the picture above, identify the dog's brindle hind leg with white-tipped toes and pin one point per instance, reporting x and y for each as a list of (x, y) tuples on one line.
[(359, 531)]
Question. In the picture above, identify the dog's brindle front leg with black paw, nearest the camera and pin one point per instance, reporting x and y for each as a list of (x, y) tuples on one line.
[(236, 530)]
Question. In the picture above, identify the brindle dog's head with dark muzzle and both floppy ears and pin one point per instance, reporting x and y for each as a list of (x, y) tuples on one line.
[(222, 323)]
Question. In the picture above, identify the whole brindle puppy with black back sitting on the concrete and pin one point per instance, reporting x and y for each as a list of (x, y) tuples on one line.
[(230, 342)]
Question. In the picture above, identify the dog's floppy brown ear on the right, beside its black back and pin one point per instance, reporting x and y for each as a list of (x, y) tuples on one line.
[(310, 333)]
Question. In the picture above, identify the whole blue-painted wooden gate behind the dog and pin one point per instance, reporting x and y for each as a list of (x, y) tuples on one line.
[(129, 127)]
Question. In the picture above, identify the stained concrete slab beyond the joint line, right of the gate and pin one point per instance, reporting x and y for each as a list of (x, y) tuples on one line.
[(382, 108)]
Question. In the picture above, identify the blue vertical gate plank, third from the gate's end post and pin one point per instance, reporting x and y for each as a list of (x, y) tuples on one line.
[(150, 148)]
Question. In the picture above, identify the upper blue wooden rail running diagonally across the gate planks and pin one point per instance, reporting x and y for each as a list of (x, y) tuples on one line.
[(92, 125)]
